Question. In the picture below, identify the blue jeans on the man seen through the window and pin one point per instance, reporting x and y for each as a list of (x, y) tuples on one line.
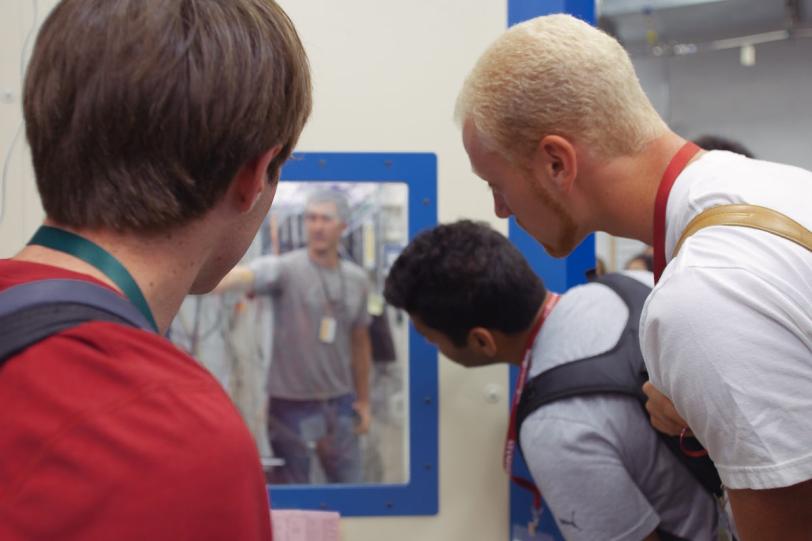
[(325, 429)]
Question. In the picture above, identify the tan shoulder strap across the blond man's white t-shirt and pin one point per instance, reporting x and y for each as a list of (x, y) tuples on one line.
[(749, 216)]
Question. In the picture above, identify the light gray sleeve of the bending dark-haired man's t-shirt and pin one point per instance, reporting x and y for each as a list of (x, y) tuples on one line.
[(584, 482)]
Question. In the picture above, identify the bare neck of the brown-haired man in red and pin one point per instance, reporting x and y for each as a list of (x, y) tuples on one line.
[(164, 267)]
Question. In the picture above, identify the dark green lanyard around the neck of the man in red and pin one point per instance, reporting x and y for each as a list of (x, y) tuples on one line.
[(93, 254)]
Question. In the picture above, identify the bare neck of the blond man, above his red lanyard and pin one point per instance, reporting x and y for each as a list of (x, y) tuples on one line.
[(625, 189)]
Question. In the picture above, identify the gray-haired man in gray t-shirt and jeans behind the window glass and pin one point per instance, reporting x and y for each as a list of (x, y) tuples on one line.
[(318, 383)]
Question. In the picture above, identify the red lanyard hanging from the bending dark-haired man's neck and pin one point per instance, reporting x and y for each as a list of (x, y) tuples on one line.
[(531, 532)]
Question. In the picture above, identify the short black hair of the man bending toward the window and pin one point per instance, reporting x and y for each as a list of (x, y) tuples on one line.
[(458, 276)]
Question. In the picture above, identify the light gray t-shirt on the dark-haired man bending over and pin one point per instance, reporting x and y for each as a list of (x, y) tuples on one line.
[(602, 470)]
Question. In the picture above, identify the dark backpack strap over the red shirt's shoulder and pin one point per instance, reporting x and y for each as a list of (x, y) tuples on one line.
[(33, 311)]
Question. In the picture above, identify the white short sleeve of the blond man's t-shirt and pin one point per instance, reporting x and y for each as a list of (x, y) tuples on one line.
[(734, 354)]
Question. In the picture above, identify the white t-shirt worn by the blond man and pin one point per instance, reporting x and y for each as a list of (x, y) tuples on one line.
[(727, 333)]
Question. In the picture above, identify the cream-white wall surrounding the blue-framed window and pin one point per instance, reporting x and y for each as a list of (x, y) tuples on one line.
[(386, 75)]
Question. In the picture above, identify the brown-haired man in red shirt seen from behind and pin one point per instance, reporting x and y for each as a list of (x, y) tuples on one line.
[(157, 132)]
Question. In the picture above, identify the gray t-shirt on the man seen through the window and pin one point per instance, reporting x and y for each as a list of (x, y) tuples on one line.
[(303, 367)]
